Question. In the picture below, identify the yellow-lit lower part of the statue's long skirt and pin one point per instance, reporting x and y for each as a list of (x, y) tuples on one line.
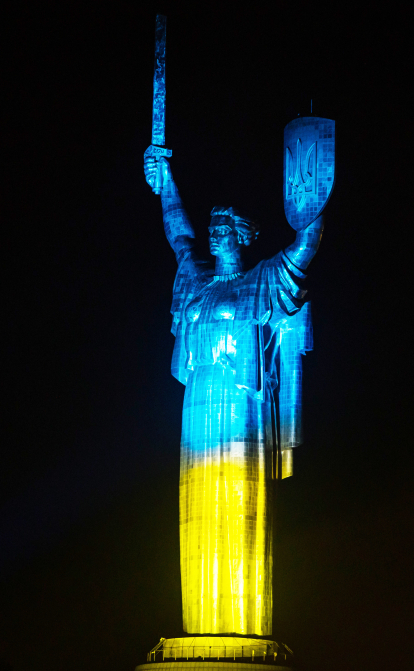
[(226, 560)]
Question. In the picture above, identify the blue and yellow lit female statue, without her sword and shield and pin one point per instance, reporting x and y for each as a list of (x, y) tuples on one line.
[(239, 340)]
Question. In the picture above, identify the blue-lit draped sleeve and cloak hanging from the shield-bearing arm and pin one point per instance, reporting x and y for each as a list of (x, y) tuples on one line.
[(275, 316)]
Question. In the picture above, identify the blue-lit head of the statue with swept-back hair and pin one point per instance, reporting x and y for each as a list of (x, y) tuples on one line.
[(230, 230)]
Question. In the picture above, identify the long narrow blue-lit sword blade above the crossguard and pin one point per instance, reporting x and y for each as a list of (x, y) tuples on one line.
[(158, 105)]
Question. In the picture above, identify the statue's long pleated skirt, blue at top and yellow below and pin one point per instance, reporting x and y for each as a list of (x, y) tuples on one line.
[(225, 506)]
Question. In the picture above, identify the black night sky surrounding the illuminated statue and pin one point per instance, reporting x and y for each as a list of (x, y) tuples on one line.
[(89, 468)]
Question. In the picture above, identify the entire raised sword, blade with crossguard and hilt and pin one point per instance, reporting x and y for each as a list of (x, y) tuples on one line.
[(157, 149)]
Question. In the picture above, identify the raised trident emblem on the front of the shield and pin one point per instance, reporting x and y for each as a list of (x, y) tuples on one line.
[(303, 183)]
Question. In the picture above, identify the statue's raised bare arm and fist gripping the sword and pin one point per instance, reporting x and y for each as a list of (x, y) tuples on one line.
[(177, 226)]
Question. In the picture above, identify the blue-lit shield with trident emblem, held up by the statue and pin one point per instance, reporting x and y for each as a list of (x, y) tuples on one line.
[(309, 169)]
